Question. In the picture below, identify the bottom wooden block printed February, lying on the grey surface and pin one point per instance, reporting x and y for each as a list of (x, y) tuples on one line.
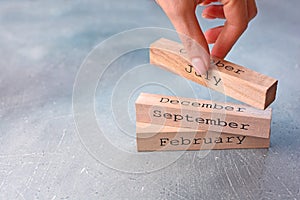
[(151, 137)]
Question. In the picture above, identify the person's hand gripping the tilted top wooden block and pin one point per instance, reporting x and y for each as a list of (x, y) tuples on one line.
[(237, 13)]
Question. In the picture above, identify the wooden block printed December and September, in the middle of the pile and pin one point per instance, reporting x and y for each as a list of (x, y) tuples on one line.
[(203, 115)]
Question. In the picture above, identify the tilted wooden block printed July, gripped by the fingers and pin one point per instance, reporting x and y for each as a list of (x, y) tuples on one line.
[(238, 82)]
